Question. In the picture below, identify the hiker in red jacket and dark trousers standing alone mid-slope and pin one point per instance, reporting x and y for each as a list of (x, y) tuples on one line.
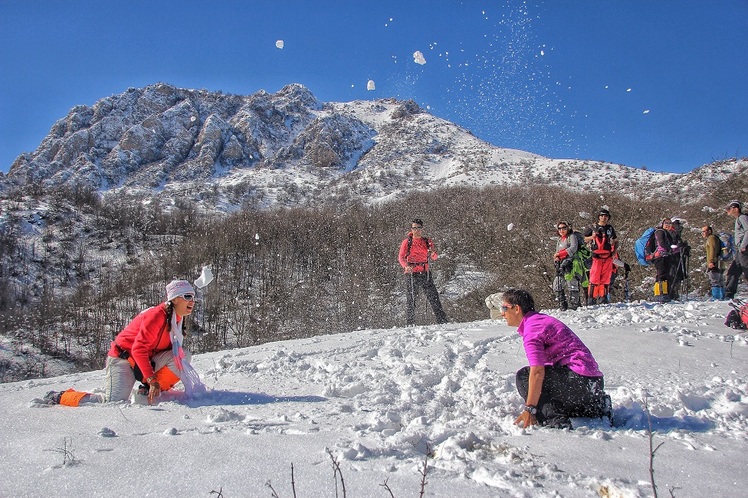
[(416, 252)]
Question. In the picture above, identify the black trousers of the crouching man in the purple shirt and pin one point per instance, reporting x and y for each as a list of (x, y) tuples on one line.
[(564, 394)]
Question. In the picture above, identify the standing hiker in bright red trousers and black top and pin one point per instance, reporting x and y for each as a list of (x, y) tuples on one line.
[(603, 241)]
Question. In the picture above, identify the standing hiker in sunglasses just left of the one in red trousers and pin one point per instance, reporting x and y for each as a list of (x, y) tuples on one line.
[(570, 271)]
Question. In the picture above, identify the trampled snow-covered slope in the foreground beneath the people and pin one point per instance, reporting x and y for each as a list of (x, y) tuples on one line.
[(381, 400)]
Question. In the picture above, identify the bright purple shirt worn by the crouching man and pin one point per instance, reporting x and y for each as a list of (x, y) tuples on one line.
[(549, 342)]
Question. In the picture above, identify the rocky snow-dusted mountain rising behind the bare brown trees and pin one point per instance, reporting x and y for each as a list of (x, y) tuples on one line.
[(289, 148)]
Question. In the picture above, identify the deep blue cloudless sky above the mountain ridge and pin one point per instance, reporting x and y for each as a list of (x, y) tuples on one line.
[(657, 84)]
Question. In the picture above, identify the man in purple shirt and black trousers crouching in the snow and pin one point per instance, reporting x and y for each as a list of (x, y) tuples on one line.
[(563, 379)]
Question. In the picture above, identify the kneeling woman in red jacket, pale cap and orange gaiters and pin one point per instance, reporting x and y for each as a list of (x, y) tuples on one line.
[(149, 350)]
